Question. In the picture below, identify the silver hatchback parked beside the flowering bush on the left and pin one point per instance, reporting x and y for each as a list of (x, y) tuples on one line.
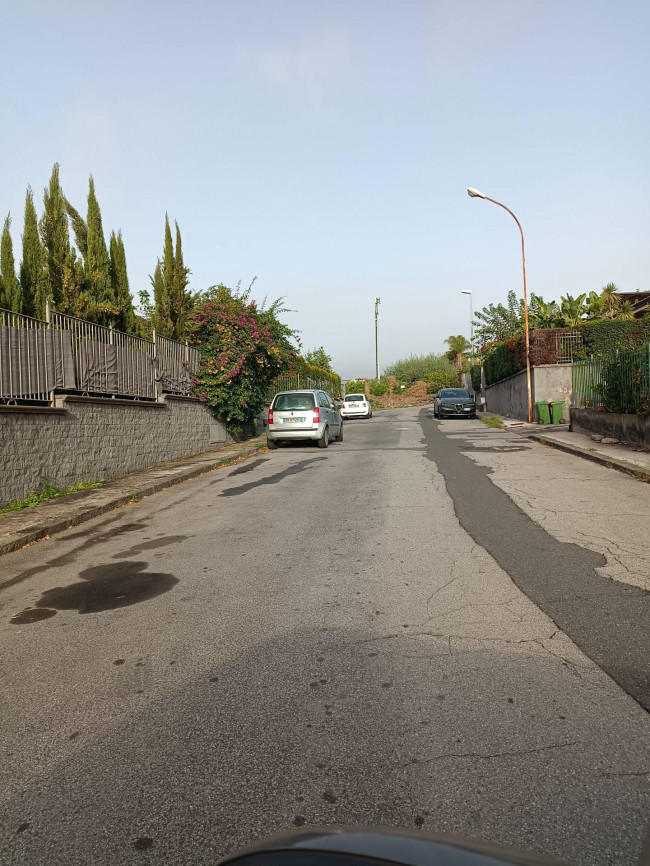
[(307, 415)]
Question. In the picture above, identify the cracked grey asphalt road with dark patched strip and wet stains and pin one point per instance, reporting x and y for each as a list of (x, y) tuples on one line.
[(399, 630)]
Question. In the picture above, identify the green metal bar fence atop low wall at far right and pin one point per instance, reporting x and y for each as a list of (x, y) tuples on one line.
[(618, 383)]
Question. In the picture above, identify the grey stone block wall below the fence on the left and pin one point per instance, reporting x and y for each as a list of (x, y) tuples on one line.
[(92, 439)]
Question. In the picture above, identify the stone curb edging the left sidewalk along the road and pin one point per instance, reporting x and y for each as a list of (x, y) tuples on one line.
[(46, 529)]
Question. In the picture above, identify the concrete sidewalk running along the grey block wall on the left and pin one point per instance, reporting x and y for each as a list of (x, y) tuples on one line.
[(18, 528)]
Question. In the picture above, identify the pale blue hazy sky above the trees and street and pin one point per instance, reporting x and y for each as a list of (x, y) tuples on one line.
[(326, 148)]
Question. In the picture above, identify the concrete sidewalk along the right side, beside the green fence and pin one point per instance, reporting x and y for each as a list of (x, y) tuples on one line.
[(621, 457)]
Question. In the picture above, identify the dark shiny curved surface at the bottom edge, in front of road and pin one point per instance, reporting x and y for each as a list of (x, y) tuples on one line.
[(342, 846)]
